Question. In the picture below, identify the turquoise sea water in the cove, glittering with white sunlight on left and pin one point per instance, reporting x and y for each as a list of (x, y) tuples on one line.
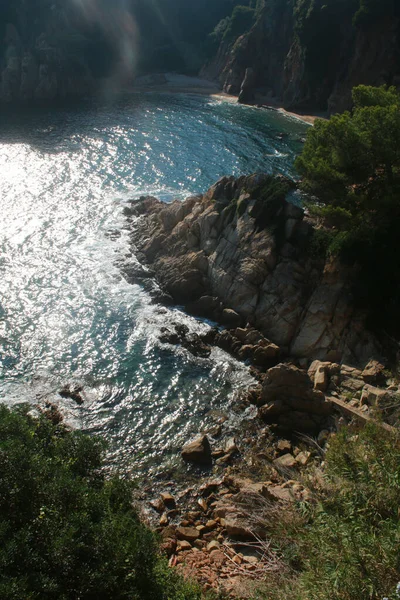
[(66, 313)]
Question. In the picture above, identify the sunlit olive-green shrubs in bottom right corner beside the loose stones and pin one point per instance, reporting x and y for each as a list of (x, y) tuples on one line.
[(345, 545)]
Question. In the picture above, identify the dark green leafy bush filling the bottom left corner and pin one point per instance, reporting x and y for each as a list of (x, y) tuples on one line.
[(66, 532)]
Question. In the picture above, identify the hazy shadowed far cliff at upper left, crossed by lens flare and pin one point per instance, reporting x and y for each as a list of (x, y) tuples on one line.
[(50, 49)]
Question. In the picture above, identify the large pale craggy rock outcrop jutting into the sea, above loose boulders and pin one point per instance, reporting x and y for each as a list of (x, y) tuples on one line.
[(245, 244)]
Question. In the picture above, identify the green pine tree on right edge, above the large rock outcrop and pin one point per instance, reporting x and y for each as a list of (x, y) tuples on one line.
[(351, 166)]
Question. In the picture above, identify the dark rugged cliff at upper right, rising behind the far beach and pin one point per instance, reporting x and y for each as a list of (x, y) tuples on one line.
[(310, 60)]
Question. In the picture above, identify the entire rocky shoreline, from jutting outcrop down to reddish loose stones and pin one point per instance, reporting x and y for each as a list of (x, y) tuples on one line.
[(240, 256)]
